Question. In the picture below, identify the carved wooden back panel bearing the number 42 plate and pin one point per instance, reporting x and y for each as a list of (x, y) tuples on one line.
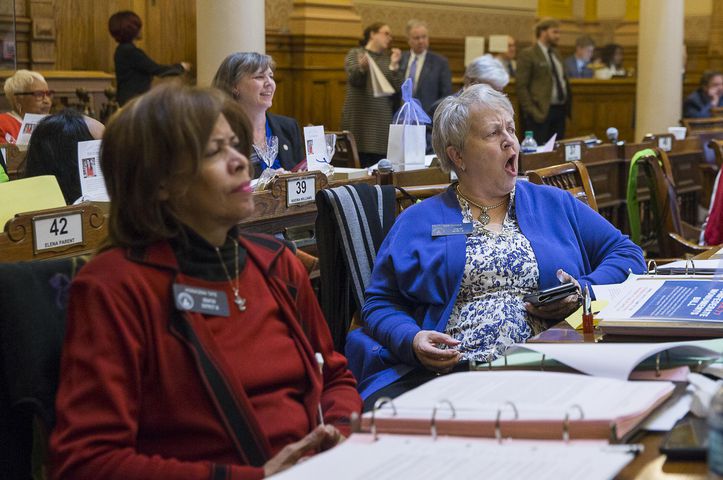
[(56, 232)]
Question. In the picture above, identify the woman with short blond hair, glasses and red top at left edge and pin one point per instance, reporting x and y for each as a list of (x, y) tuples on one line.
[(26, 92)]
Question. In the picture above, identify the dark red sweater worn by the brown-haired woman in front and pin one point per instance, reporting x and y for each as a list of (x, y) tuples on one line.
[(134, 401)]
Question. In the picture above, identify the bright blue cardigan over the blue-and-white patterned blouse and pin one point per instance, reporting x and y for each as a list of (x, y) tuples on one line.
[(416, 277)]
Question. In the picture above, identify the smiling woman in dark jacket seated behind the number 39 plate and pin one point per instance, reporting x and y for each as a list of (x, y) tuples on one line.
[(248, 77)]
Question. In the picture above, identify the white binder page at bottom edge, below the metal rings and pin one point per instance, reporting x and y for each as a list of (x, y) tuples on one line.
[(396, 457)]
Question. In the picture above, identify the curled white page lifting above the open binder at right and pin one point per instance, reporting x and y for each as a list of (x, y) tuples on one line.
[(616, 360)]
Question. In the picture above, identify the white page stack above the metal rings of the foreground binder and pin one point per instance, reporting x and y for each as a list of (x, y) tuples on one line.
[(537, 395)]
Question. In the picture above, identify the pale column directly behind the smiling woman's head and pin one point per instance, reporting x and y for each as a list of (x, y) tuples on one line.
[(224, 27)]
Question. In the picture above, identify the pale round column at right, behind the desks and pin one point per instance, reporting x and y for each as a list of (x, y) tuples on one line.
[(658, 101)]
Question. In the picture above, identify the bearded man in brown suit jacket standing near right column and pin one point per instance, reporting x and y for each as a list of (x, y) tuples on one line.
[(542, 87)]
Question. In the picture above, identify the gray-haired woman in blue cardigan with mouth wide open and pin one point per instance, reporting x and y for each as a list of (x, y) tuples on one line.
[(449, 279)]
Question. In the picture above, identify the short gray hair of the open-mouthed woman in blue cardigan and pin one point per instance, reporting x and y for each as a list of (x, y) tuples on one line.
[(452, 118)]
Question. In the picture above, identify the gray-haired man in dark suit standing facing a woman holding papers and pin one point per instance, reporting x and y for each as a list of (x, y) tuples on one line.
[(429, 71)]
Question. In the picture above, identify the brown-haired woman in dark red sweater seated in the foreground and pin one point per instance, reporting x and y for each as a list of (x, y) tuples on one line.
[(201, 360)]
